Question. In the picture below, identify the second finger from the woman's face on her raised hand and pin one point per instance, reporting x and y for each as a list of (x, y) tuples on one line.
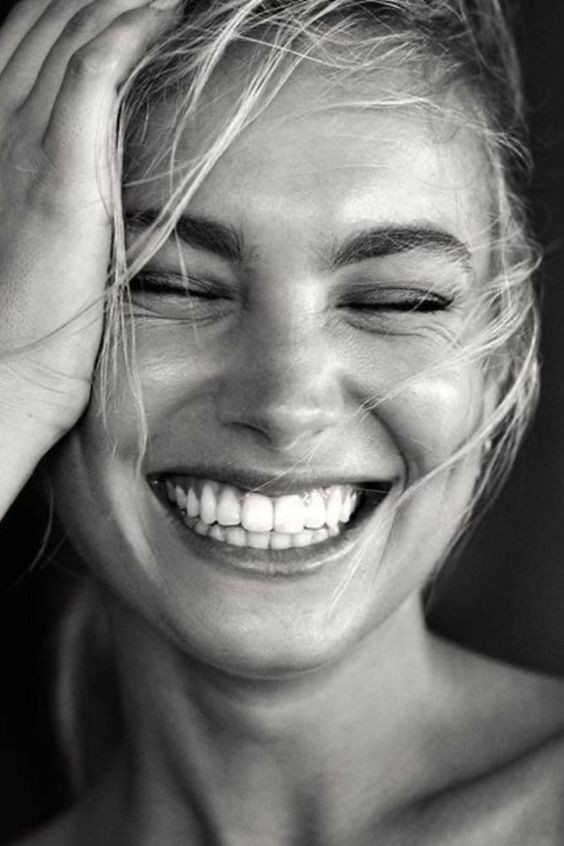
[(80, 29)]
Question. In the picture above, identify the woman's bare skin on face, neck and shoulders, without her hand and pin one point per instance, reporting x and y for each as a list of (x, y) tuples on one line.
[(259, 710)]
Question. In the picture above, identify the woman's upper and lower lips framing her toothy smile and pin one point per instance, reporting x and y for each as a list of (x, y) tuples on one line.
[(296, 561)]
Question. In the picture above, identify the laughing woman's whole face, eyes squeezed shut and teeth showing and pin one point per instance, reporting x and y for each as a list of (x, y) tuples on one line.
[(334, 257)]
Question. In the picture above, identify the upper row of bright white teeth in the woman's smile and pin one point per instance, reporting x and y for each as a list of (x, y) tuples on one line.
[(213, 502)]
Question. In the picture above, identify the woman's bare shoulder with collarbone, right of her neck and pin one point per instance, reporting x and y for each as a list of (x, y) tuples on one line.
[(504, 778)]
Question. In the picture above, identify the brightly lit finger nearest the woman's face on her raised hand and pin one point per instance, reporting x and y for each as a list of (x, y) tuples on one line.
[(77, 128)]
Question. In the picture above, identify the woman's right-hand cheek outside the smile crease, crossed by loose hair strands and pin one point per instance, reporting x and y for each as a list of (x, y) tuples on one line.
[(433, 417)]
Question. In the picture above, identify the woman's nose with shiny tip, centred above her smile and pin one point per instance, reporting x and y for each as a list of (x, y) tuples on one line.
[(282, 385)]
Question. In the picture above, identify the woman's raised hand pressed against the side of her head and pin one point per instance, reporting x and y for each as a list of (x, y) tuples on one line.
[(61, 63)]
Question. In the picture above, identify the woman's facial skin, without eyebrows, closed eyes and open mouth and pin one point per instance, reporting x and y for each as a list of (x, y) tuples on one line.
[(244, 380)]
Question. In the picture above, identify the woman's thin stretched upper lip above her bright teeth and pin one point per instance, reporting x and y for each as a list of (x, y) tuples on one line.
[(274, 482)]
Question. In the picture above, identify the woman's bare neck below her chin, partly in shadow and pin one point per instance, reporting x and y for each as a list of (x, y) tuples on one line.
[(214, 758)]
